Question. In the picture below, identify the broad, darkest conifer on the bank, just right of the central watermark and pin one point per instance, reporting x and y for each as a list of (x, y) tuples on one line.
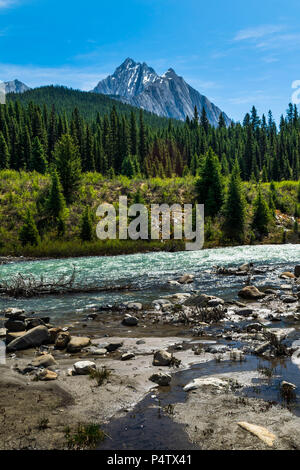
[(209, 185)]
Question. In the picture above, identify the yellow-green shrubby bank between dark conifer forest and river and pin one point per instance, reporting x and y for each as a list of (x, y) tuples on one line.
[(20, 190)]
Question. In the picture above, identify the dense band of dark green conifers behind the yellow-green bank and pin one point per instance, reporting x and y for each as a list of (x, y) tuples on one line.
[(118, 143)]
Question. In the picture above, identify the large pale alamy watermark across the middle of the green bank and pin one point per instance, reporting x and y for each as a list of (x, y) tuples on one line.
[(160, 223)]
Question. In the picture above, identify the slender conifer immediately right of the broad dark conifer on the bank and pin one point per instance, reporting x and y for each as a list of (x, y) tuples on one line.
[(235, 207)]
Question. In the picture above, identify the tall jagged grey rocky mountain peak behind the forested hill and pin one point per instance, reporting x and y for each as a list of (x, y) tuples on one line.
[(167, 95)]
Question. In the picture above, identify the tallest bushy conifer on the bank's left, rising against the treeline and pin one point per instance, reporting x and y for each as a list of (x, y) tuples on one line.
[(67, 158)]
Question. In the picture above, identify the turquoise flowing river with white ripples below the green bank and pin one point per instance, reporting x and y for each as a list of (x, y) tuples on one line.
[(147, 275)]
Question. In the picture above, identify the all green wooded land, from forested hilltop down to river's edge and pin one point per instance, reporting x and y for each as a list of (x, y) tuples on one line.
[(62, 144)]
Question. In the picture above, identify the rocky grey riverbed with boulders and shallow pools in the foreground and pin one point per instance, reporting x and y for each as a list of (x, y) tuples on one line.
[(184, 370)]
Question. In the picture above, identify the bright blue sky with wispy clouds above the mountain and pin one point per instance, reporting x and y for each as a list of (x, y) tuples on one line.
[(237, 53)]
